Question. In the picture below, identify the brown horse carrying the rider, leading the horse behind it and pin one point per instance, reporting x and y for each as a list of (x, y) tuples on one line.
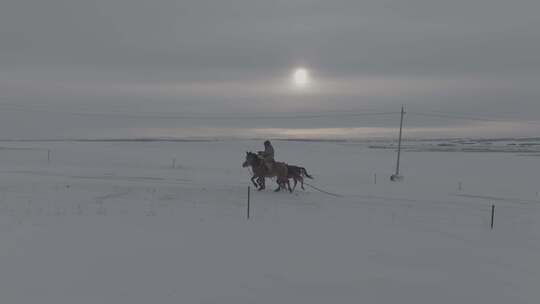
[(279, 170)]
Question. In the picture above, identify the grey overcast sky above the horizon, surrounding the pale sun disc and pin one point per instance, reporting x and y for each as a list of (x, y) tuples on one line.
[(117, 68)]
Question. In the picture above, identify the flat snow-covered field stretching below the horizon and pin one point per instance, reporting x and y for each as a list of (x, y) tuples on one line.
[(114, 222)]
